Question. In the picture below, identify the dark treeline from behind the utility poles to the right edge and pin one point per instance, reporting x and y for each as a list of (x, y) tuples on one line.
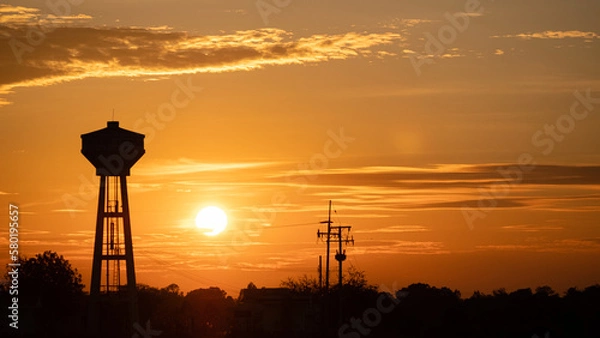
[(421, 310)]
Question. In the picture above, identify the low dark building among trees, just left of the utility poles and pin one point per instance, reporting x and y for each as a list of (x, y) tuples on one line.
[(275, 312)]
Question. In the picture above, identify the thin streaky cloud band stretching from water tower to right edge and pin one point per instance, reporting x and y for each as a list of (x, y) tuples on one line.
[(389, 191)]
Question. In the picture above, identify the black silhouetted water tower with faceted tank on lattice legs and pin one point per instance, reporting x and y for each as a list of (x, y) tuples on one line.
[(113, 151)]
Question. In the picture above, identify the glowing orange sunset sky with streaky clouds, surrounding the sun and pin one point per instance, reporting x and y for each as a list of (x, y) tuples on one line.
[(458, 138)]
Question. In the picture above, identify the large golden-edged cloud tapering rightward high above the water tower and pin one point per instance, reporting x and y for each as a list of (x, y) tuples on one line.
[(69, 53)]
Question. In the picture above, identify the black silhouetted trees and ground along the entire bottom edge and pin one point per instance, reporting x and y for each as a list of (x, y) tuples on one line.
[(51, 303)]
